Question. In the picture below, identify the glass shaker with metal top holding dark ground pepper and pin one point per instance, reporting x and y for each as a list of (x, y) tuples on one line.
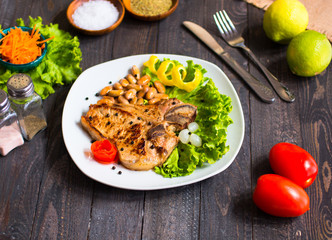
[(27, 104)]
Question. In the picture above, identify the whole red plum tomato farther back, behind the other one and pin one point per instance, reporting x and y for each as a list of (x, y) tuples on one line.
[(293, 162)]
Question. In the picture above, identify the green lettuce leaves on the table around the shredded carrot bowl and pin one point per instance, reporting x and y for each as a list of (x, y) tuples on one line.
[(61, 64)]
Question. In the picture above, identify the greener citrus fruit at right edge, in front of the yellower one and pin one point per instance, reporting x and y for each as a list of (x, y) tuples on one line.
[(309, 53)]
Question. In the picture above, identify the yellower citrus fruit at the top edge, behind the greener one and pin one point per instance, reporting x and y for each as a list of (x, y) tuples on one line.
[(285, 19)]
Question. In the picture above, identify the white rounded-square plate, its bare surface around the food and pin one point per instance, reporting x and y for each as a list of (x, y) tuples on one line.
[(78, 141)]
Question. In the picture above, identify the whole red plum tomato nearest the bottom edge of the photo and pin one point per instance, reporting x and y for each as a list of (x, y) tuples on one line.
[(278, 196)]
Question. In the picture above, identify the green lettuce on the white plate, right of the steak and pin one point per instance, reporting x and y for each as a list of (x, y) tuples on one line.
[(213, 119)]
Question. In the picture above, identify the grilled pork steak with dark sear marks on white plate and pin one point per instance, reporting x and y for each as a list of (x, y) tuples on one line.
[(143, 134)]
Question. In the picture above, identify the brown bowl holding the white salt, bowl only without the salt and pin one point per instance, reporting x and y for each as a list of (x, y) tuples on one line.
[(75, 4)]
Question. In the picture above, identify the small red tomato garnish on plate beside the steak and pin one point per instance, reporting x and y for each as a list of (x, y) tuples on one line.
[(104, 151)]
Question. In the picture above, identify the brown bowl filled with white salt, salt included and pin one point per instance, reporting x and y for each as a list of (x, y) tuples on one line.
[(95, 17)]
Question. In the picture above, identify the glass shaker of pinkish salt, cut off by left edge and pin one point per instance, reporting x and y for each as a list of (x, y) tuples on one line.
[(10, 133)]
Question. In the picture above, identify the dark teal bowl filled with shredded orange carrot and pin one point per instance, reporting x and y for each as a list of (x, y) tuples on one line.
[(22, 48)]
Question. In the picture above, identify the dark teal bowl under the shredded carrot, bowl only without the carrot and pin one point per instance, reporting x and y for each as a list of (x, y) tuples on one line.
[(27, 66)]
